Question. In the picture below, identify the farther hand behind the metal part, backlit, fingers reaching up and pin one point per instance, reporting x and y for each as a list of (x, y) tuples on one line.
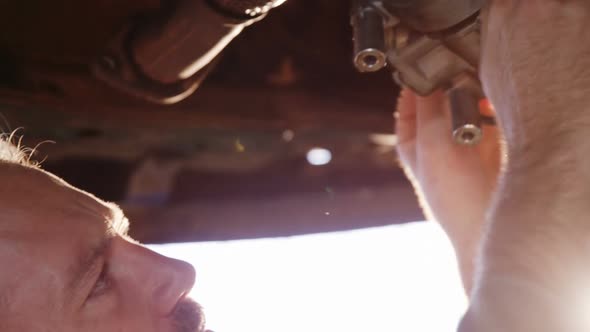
[(454, 182)]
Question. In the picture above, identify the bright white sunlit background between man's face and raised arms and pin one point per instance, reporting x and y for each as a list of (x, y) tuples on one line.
[(386, 279)]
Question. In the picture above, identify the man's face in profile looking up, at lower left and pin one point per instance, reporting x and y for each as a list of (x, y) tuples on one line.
[(66, 264)]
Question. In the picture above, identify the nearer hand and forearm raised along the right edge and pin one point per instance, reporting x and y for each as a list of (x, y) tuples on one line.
[(533, 272)]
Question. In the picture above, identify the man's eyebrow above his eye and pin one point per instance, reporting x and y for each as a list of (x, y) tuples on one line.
[(81, 270)]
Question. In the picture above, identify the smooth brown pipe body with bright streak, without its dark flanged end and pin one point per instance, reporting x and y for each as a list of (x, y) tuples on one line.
[(181, 42)]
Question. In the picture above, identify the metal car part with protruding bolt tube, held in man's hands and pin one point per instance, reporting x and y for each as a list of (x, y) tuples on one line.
[(430, 45)]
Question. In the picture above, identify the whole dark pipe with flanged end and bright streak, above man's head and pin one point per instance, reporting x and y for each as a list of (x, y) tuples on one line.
[(164, 58)]
